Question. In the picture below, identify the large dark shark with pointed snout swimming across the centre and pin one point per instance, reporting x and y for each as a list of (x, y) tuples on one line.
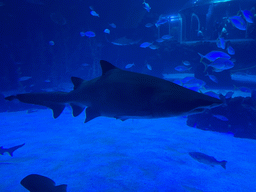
[(123, 95)]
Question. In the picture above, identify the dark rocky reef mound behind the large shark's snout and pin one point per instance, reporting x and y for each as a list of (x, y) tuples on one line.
[(238, 117)]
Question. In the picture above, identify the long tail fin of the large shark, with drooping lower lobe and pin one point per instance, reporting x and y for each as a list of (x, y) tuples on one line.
[(53, 100)]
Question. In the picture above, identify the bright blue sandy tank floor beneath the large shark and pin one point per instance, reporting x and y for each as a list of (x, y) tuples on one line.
[(110, 155)]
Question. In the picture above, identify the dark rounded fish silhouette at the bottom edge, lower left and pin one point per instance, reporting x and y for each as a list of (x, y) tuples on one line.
[(39, 183)]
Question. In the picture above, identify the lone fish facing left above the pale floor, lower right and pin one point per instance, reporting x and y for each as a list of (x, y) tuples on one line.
[(206, 159)]
